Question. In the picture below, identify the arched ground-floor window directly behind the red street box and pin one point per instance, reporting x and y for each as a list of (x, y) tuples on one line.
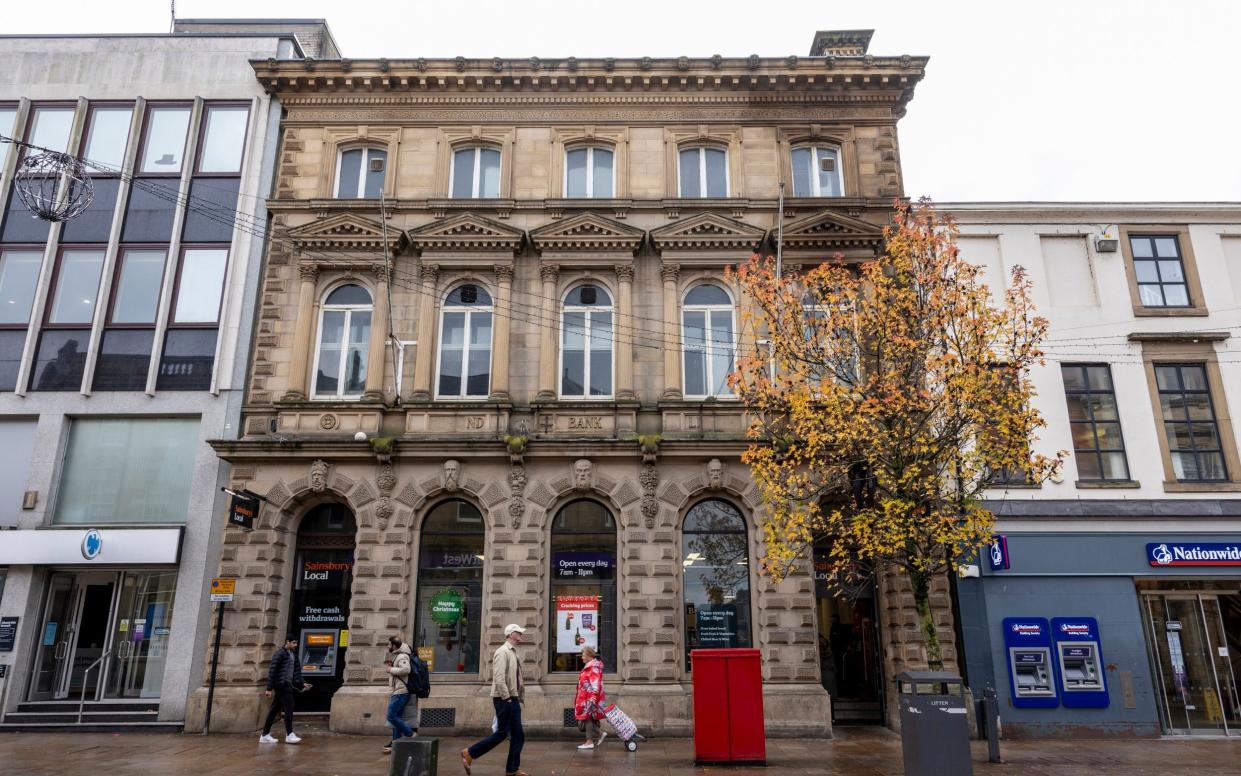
[(717, 569)]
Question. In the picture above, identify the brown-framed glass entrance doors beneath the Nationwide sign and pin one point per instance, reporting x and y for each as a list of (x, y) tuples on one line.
[(1191, 649)]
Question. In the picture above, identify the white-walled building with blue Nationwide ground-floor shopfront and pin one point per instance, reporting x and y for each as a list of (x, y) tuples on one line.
[(1137, 549)]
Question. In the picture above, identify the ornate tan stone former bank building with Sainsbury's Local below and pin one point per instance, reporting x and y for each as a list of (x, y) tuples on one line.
[(543, 220)]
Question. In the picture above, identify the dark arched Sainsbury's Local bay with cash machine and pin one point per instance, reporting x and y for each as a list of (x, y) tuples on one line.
[(320, 616)]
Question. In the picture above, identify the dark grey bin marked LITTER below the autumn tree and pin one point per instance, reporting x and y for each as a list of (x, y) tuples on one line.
[(935, 736)]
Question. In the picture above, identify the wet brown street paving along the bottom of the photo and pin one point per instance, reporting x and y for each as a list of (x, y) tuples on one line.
[(854, 752)]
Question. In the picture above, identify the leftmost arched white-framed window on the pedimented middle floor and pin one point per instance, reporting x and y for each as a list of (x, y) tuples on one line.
[(344, 341)]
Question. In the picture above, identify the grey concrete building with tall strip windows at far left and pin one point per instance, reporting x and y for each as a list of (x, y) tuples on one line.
[(125, 338)]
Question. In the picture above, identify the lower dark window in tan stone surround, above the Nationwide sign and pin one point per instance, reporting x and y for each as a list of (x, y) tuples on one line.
[(1189, 423)]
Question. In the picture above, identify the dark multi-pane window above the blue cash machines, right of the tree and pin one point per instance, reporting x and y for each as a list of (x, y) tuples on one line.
[(1099, 445)]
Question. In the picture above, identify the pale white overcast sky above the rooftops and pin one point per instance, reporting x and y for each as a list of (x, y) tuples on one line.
[(1079, 101)]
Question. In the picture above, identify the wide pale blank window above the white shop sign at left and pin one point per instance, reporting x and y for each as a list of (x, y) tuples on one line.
[(122, 471)]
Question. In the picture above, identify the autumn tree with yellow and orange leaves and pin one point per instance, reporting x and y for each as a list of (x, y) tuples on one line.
[(893, 395)]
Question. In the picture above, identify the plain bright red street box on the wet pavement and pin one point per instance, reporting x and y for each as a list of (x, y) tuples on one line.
[(729, 707)]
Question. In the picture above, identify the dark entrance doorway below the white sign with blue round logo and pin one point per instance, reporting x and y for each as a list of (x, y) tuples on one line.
[(74, 635)]
